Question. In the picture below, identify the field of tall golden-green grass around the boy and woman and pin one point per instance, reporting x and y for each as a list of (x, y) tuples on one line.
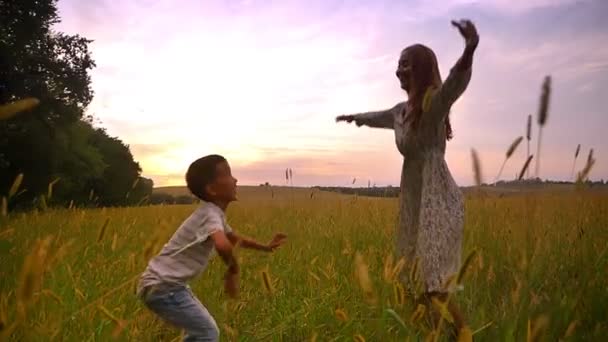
[(539, 272)]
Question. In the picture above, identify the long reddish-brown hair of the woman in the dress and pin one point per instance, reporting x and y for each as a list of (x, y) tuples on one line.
[(426, 74)]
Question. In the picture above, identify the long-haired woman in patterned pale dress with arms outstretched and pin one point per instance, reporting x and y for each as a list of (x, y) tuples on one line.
[(431, 213)]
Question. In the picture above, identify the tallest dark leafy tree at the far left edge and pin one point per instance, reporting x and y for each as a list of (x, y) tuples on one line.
[(51, 66)]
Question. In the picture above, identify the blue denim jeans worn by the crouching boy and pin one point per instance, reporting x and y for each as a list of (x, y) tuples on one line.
[(179, 307)]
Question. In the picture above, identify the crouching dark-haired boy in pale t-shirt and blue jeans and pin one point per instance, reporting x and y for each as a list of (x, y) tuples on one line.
[(163, 287)]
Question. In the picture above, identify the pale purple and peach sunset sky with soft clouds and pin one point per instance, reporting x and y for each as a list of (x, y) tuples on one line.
[(261, 81)]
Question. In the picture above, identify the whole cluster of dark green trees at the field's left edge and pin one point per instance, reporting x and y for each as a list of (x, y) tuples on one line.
[(55, 143)]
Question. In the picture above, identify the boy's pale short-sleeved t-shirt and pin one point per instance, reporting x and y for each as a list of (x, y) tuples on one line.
[(188, 251)]
